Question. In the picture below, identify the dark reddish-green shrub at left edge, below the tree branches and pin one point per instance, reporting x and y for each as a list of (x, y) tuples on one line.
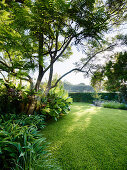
[(14, 98)]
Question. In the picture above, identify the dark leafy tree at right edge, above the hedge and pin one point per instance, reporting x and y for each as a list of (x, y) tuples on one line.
[(113, 75)]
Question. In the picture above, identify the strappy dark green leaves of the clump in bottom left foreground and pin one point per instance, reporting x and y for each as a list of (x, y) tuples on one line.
[(22, 146)]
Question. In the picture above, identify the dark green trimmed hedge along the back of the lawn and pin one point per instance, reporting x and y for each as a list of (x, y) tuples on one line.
[(88, 97)]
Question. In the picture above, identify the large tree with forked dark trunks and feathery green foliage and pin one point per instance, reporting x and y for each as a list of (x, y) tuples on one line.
[(51, 26)]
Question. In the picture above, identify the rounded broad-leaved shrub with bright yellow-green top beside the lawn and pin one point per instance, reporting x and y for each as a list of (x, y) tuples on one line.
[(56, 103)]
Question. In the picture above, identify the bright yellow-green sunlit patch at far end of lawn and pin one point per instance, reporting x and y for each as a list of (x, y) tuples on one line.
[(76, 115)]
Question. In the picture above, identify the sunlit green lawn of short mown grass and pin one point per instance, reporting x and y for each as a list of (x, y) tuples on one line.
[(89, 138)]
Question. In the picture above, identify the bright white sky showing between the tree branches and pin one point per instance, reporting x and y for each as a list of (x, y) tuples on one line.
[(75, 78)]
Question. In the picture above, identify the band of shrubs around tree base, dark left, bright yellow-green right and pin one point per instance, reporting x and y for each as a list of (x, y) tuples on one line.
[(18, 100)]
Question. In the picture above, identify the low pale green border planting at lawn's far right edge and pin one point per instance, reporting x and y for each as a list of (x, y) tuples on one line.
[(115, 105)]
